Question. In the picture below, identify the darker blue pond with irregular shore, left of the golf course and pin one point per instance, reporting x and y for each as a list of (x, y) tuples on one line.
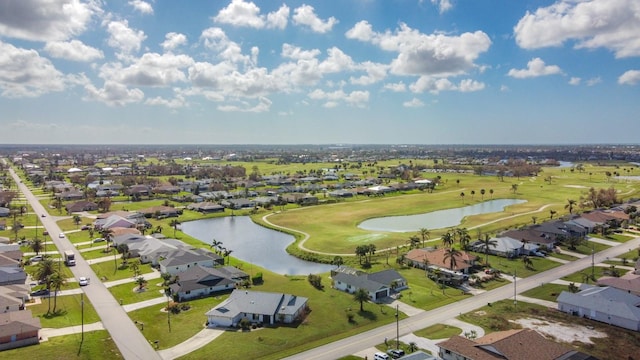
[(253, 243)]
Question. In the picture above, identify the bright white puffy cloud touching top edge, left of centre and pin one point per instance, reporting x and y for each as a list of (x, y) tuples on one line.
[(247, 14)]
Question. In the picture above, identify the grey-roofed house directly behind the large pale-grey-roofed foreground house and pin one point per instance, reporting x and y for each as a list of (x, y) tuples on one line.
[(200, 281)]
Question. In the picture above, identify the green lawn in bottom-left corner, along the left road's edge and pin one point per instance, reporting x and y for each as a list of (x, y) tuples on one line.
[(96, 345)]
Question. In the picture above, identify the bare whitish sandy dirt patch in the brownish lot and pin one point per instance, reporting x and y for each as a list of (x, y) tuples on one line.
[(561, 332)]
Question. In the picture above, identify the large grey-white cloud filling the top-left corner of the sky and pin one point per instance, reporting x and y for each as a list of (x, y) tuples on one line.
[(45, 20)]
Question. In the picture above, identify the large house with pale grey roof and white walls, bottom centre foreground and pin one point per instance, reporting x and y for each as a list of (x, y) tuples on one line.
[(257, 307)]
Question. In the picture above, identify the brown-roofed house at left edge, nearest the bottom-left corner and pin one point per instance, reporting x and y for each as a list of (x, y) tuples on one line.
[(18, 329)]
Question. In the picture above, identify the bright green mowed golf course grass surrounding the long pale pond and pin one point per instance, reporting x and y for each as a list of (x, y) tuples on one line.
[(333, 228)]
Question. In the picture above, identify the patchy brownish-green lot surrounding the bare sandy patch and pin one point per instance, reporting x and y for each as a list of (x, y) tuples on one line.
[(620, 343)]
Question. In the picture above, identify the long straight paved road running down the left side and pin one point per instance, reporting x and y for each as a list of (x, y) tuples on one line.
[(131, 343)]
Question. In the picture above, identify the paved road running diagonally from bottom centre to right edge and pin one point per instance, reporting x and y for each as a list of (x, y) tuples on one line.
[(357, 343)]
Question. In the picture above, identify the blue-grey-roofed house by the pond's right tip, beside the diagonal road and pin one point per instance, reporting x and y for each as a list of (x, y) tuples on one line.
[(378, 285)]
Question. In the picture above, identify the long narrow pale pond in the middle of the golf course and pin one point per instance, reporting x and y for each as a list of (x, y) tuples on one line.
[(435, 219)]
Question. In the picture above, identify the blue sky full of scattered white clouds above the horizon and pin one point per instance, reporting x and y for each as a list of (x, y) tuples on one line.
[(319, 72)]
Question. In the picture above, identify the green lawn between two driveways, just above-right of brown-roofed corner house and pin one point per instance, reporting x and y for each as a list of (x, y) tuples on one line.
[(68, 311)]
